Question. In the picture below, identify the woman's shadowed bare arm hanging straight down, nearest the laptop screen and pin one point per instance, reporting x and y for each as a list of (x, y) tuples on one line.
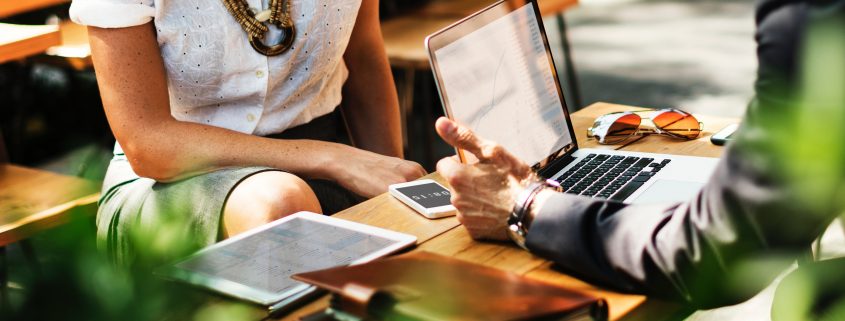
[(370, 102)]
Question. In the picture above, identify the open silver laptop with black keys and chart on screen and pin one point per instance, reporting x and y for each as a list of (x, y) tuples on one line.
[(495, 74)]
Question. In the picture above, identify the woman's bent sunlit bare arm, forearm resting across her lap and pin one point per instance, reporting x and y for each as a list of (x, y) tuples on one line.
[(133, 85)]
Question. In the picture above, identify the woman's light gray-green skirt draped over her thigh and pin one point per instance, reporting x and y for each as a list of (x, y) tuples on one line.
[(134, 210)]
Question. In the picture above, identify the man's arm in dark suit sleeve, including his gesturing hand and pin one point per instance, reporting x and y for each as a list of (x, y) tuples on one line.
[(777, 188)]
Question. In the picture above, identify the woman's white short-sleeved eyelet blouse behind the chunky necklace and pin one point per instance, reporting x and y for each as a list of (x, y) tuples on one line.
[(215, 77)]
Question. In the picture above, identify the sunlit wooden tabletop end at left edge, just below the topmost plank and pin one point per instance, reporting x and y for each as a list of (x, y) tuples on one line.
[(21, 41)]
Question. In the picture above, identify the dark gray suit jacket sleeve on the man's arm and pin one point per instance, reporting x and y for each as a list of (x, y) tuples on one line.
[(757, 214)]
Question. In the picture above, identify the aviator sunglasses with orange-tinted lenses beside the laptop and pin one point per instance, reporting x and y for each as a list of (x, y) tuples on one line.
[(618, 127)]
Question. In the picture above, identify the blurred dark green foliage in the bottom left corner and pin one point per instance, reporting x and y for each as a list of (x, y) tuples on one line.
[(76, 281)]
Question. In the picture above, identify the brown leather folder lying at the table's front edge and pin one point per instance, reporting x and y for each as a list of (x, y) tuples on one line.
[(426, 286)]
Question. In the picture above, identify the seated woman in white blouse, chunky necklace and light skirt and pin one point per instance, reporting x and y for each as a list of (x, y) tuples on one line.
[(192, 97)]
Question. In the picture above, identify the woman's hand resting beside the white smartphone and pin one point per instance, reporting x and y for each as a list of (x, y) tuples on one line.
[(369, 174)]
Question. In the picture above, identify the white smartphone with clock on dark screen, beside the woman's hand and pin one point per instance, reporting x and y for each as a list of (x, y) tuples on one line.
[(425, 196)]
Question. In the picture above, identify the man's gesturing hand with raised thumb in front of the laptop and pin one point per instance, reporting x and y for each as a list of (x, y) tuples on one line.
[(483, 192)]
